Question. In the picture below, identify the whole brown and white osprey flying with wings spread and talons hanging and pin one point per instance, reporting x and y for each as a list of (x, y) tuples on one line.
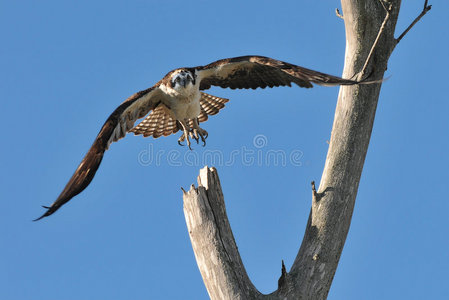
[(177, 102)]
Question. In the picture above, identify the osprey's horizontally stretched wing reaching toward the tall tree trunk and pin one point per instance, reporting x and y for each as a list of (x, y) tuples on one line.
[(253, 72)]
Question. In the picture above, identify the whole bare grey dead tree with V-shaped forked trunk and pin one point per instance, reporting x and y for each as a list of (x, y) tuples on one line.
[(370, 26)]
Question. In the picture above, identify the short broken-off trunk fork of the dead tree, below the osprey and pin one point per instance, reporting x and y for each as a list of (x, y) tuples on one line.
[(212, 240)]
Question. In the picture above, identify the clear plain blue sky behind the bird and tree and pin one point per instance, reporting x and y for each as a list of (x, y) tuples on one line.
[(66, 65)]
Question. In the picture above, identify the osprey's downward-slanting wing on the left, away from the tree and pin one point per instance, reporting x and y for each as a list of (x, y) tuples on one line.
[(115, 128)]
